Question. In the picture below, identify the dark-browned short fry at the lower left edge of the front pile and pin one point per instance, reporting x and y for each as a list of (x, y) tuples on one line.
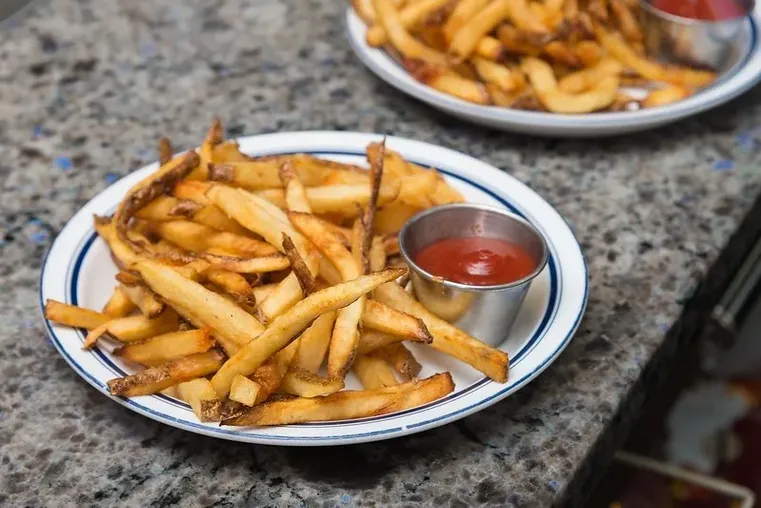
[(155, 379)]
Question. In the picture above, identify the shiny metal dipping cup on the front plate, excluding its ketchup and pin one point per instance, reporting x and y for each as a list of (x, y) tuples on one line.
[(485, 312)]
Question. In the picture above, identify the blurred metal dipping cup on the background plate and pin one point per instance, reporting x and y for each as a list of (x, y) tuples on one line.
[(695, 42)]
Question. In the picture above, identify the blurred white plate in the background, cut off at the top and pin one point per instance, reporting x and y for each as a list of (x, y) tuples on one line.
[(743, 72)]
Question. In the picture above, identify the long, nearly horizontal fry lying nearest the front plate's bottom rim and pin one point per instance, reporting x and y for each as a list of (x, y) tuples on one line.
[(338, 406)]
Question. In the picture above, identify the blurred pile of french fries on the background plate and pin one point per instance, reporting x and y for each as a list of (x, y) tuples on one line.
[(562, 56)]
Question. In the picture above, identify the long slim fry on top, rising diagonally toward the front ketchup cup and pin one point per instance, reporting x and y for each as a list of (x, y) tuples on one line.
[(284, 327)]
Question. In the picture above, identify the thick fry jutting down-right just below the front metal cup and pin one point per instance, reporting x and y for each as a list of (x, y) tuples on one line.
[(446, 337)]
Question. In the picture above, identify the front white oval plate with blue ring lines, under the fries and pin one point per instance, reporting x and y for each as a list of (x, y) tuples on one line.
[(78, 270)]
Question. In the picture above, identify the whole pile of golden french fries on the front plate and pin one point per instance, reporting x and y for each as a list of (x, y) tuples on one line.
[(249, 287)]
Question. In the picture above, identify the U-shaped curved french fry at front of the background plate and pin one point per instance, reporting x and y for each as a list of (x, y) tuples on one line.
[(543, 81)]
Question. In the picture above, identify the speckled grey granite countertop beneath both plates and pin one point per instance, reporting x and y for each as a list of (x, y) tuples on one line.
[(87, 87)]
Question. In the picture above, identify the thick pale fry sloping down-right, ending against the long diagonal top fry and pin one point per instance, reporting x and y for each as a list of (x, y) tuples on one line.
[(230, 324)]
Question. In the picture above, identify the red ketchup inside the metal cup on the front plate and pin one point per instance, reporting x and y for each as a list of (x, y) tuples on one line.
[(476, 261)]
